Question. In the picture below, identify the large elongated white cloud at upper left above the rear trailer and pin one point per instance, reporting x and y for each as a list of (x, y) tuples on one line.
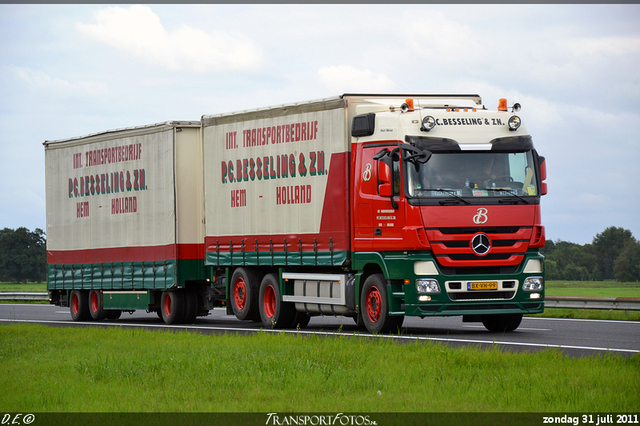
[(139, 32)]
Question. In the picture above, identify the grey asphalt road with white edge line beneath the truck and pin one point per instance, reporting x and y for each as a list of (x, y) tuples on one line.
[(574, 337)]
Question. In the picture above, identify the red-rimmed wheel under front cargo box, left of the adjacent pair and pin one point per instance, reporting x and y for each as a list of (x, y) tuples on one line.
[(245, 286)]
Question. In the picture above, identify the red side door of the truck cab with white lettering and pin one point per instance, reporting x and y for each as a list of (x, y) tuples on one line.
[(379, 211)]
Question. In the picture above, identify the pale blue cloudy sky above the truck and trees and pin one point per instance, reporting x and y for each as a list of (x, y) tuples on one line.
[(73, 70)]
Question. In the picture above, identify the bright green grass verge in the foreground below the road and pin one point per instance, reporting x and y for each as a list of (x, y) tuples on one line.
[(74, 369)]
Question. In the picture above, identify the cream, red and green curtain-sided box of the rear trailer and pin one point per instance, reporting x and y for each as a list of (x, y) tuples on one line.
[(112, 206)]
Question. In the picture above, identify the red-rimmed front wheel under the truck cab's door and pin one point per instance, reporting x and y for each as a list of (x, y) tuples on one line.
[(375, 305)]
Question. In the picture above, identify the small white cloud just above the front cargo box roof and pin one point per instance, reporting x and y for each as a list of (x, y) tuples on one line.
[(346, 78)]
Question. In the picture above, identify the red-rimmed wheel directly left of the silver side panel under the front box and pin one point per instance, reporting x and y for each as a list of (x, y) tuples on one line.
[(273, 311)]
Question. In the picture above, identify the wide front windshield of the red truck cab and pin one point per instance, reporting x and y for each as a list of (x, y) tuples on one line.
[(473, 174)]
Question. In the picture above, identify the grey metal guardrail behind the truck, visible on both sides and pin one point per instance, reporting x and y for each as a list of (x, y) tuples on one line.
[(567, 302)]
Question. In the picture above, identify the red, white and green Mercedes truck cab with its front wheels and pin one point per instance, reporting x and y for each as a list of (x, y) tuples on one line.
[(447, 208)]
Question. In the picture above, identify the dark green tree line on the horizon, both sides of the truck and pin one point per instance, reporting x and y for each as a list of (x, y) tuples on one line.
[(614, 254)]
